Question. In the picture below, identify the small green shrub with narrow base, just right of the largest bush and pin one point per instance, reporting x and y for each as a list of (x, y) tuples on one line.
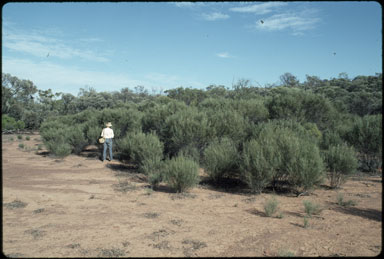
[(341, 162)]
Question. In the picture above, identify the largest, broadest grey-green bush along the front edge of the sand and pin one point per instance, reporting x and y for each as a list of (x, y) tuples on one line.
[(278, 153)]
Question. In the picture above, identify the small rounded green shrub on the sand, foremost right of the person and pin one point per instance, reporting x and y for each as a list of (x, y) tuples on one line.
[(181, 173)]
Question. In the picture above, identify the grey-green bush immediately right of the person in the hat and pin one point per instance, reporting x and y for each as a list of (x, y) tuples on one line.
[(146, 150)]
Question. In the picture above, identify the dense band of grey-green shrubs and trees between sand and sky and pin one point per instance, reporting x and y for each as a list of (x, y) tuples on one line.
[(292, 135)]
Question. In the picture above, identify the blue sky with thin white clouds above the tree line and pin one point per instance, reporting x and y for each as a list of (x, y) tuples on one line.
[(164, 45)]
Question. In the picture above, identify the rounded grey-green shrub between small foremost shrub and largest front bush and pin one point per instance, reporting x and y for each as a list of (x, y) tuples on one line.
[(221, 158)]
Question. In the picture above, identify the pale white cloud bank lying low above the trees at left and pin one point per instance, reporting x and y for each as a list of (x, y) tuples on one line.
[(69, 79)]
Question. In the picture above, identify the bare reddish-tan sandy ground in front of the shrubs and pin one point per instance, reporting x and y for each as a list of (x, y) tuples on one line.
[(82, 207)]
